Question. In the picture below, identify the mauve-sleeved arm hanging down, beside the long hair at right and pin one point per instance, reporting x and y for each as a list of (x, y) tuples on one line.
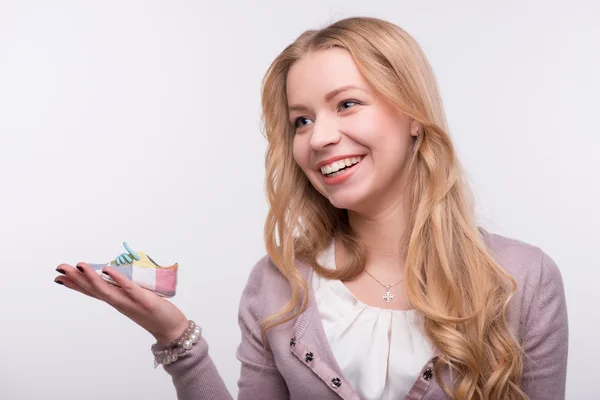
[(546, 337)]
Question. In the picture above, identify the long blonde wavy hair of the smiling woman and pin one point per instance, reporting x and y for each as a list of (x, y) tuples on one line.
[(450, 277)]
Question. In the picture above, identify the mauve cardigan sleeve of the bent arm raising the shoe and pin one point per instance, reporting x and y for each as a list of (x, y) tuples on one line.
[(196, 377)]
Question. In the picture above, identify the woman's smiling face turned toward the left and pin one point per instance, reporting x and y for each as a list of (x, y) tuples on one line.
[(351, 143)]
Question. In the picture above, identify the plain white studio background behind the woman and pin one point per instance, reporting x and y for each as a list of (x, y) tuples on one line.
[(138, 121)]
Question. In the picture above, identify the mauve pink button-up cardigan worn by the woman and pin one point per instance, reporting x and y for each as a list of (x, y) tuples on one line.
[(300, 364)]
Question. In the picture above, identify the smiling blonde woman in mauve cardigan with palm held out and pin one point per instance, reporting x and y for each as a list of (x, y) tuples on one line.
[(380, 285)]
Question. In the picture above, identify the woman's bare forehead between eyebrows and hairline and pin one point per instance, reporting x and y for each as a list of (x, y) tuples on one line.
[(320, 72)]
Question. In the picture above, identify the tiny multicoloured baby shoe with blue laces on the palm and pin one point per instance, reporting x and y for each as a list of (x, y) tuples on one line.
[(143, 270)]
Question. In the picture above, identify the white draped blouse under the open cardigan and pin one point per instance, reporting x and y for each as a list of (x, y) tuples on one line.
[(381, 352)]
